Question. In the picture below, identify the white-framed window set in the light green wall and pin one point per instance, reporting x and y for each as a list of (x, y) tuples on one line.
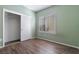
[(47, 24)]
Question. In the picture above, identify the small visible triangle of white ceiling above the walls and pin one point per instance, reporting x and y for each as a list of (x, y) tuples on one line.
[(37, 7)]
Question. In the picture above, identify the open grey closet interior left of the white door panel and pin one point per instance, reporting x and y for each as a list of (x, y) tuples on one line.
[(12, 28)]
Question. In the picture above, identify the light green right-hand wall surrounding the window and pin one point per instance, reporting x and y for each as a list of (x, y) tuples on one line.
[(67, 24)]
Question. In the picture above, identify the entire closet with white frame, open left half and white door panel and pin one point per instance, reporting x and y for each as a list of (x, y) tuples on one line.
[(16, 27)]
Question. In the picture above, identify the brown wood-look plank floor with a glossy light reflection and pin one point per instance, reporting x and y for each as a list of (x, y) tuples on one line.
[(38, 46)]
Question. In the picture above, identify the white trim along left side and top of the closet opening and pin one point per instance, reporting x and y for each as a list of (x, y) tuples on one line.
[(10, 11)]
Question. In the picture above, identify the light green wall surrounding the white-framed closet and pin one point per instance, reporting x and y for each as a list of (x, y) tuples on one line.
[(19, 9)]
